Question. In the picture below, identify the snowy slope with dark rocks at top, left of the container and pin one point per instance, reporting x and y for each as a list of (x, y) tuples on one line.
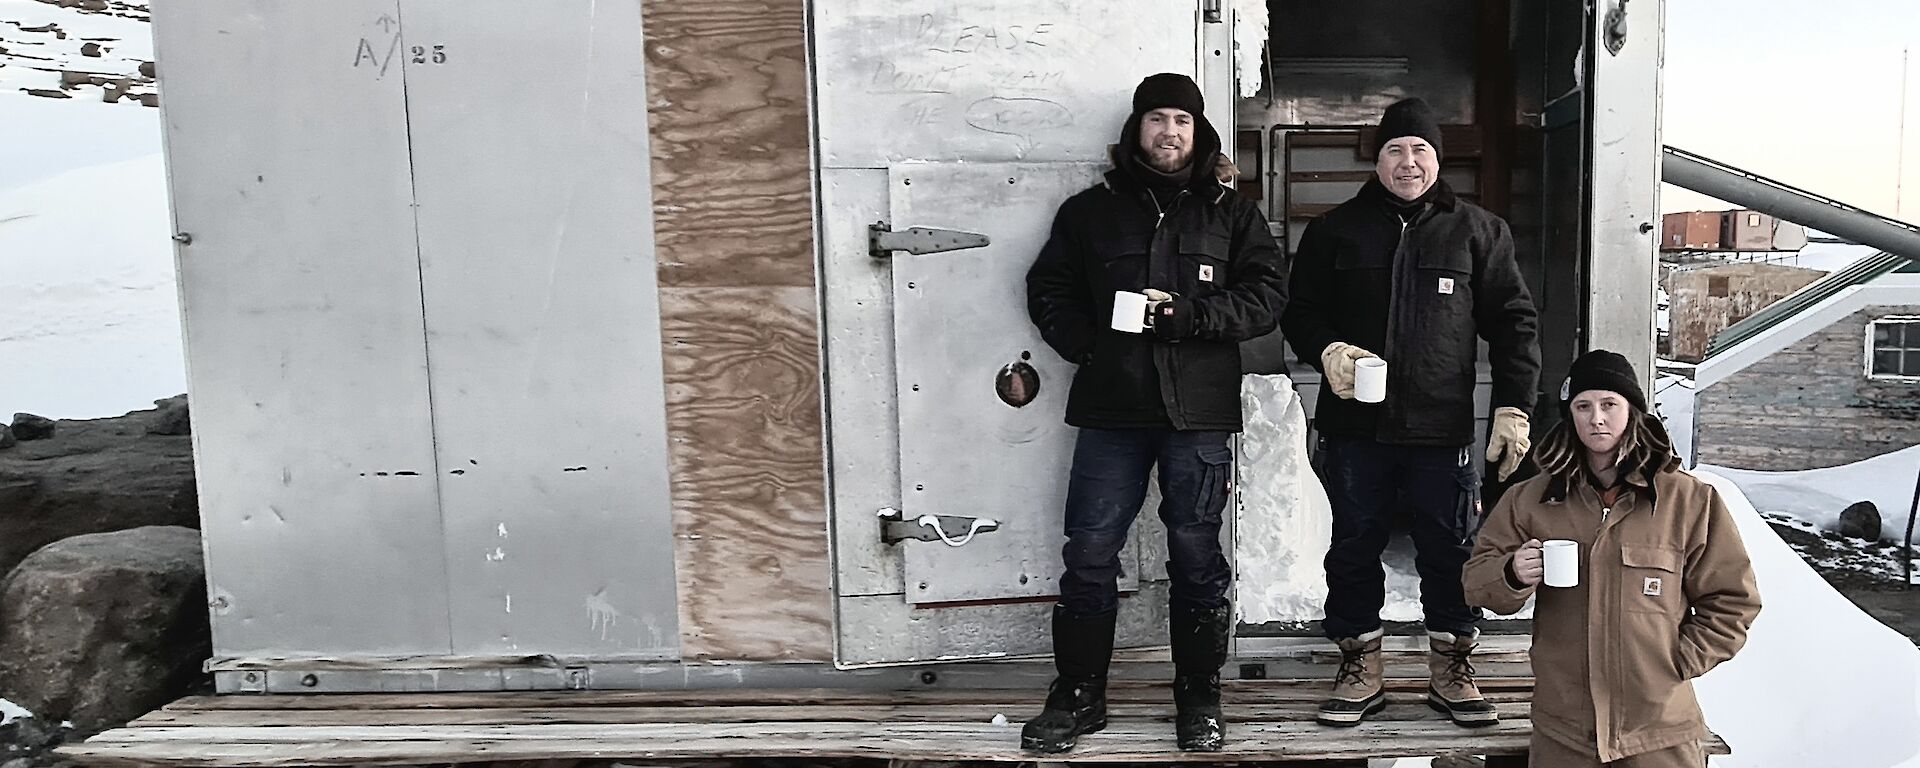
[(91, 325)]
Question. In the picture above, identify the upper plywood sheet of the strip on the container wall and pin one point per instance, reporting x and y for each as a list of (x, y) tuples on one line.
[(727, 82)]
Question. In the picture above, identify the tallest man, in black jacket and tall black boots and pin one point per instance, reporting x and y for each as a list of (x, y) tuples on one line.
[(1168, 396)]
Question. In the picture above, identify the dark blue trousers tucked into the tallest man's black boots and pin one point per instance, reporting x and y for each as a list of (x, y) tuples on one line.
[(1105, 492)]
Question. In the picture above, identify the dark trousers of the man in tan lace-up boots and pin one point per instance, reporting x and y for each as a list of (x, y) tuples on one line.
[(1368, 483)]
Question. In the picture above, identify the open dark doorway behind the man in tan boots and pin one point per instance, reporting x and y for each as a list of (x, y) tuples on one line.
[(1508, 84)]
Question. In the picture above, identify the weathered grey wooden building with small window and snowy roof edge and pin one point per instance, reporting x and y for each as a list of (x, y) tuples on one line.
[(1827, 377)]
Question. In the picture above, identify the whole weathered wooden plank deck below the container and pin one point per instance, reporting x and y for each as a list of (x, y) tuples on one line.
[(1268, 723)]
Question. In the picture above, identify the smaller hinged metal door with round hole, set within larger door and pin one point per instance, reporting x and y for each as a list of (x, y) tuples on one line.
[(959, 322)]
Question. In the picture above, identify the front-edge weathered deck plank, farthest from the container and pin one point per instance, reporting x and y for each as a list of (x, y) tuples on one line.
[(1124, 742)]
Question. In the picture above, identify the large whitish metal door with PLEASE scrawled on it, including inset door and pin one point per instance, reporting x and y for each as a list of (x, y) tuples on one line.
[(976, 116)]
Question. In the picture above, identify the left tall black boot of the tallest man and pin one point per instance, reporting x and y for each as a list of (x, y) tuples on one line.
[(1076, 702)]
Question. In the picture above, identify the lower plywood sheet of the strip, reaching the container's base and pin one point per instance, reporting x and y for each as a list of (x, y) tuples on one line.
[(750, 494)]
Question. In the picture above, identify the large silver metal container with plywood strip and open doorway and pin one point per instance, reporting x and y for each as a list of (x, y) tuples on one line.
[(587, 345)]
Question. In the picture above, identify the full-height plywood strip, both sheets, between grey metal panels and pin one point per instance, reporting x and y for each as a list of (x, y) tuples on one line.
[(727, 84)]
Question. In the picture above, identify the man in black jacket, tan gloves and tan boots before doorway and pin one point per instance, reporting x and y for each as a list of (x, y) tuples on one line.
[(1410, 274)]
